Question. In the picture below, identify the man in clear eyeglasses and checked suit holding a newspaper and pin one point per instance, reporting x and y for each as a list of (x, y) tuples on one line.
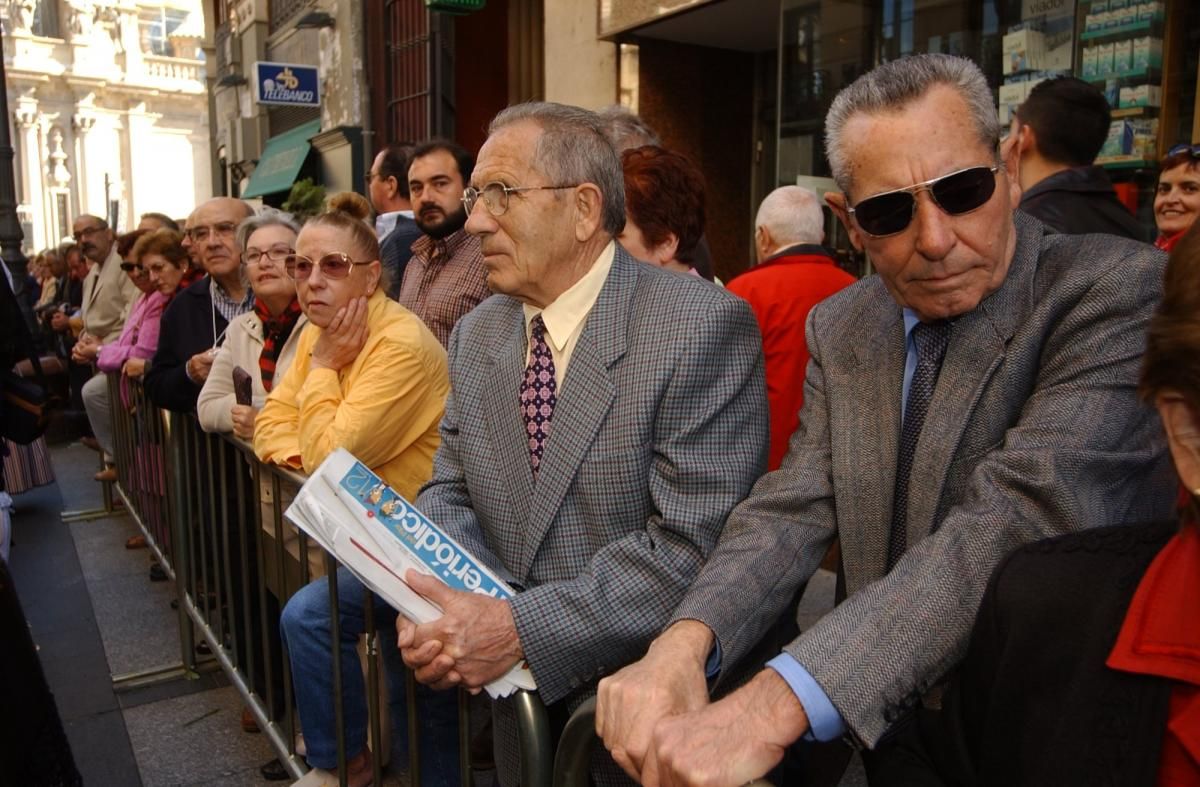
[(604, 419)]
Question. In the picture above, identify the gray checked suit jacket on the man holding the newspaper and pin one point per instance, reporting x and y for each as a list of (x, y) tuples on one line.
[(661, 429)]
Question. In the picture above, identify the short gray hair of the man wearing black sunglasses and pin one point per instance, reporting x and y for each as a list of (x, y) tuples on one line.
[(898, 85)]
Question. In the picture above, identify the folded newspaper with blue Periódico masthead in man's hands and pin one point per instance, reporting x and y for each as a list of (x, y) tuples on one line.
[(380, 536)]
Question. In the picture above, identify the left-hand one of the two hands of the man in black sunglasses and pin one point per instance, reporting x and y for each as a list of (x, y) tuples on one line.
[(669, 681)]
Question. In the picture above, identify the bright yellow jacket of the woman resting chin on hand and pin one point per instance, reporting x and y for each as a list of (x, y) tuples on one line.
[(385, 408)]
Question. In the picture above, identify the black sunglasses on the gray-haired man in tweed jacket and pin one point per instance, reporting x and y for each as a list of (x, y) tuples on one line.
[(961, 193)]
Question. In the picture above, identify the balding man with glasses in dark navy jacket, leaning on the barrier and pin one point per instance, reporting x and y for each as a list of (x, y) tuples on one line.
[(195, 323)]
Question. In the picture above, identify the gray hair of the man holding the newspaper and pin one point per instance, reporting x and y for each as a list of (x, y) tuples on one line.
[(573, 149)]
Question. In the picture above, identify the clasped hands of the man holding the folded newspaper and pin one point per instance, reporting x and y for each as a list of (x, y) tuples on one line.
[(473, 644)]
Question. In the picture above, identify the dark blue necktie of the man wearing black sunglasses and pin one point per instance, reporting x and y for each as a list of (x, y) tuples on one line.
[(932, 340)]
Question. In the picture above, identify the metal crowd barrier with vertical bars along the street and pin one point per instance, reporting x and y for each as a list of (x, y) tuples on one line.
[(213, 515)]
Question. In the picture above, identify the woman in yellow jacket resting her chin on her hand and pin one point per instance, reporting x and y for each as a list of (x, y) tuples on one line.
[(368, 377)]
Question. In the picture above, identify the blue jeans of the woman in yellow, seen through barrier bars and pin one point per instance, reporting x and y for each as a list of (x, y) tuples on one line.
[(305, 627)]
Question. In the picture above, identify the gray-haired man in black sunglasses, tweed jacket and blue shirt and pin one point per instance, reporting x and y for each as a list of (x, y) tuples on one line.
[(976, 395)]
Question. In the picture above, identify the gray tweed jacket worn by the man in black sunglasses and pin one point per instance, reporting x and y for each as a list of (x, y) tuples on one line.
[(1035, 430)]
